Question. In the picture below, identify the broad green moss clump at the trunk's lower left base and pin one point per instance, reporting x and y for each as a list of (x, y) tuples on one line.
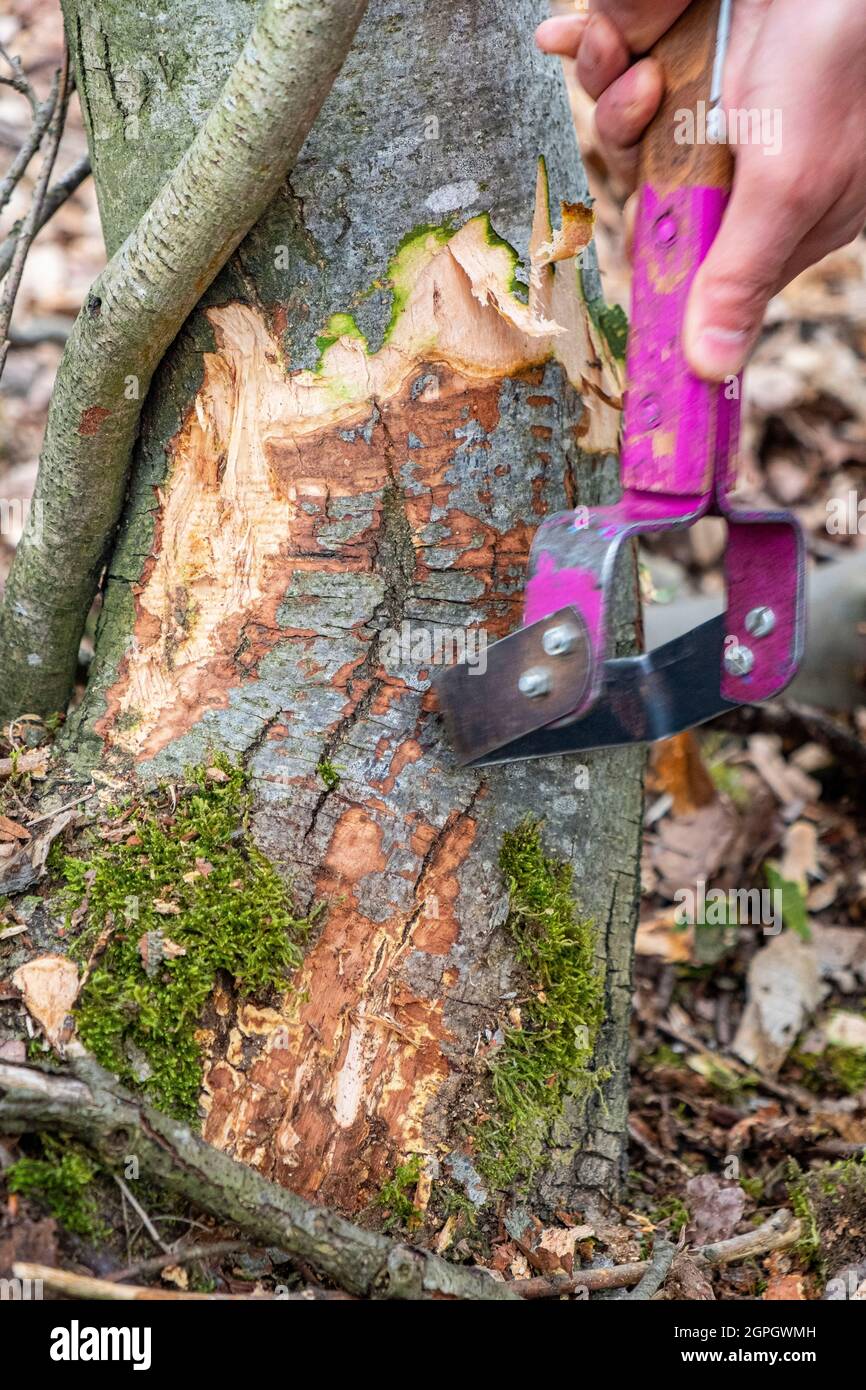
[(191, 893)]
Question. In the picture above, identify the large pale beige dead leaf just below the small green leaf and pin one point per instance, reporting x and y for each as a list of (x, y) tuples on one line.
[(783, 992)]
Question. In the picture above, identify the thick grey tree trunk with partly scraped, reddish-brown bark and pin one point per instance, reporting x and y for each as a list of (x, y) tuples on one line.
[(344, 457)]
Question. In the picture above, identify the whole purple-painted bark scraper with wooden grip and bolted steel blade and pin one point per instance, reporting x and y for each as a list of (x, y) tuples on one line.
[(554, 686)]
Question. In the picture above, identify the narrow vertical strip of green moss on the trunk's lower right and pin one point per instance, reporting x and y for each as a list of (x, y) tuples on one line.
[(548, 1058)]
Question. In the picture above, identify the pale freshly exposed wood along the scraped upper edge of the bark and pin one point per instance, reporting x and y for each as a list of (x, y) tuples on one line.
[(261, 451)]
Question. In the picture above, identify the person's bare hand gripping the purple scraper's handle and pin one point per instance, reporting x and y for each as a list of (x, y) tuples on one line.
[(790, 206)]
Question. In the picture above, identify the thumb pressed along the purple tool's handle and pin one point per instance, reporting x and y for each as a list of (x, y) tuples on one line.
[(761, 230)]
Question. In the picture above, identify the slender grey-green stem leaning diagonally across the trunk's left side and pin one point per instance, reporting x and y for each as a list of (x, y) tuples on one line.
[(233, 170)]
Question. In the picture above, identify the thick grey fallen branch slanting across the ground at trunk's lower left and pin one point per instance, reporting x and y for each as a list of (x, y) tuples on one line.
[(95, 1109)]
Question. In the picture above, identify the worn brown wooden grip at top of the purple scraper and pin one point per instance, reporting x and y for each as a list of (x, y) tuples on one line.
[(687, 54)]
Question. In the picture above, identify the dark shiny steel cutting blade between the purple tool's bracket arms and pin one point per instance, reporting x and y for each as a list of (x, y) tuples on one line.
[(644, 698)]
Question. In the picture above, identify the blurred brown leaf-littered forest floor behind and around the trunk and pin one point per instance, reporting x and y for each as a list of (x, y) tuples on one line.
[(749, 1042)]
